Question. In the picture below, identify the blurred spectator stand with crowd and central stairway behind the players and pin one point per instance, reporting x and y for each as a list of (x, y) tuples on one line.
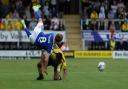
[(85, 24)]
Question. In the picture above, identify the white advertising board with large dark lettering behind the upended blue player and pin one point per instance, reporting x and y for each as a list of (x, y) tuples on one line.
[(16, 36)]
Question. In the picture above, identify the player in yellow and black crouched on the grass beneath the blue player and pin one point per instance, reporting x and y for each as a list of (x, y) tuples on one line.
[(57, 60)]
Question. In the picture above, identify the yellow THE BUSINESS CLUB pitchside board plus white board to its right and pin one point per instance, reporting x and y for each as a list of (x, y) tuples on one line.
[(100, 54)]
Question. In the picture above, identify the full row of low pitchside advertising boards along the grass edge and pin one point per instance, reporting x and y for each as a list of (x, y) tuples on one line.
[(34, 54)]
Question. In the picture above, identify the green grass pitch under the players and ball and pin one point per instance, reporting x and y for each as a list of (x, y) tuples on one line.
[(82, 74)]
